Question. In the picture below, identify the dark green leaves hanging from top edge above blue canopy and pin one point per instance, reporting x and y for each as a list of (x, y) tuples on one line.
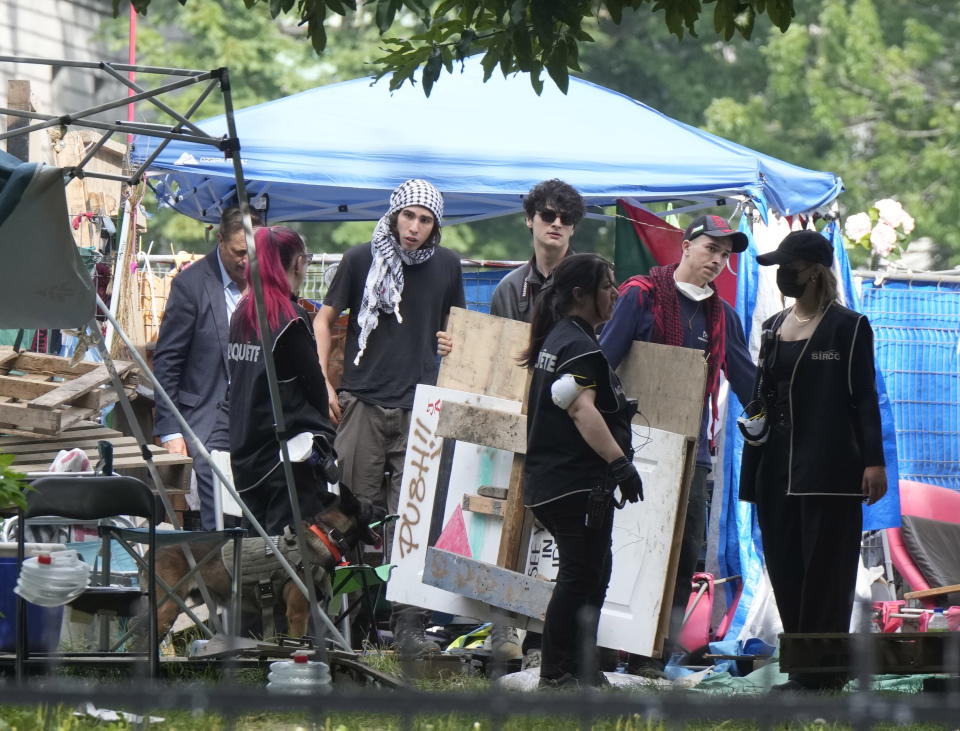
[(530, 36)]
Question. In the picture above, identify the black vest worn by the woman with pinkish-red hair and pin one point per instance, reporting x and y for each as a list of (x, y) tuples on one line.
[(254, 449)]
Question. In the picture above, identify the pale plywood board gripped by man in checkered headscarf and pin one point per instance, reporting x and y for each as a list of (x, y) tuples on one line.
[(484, 356)]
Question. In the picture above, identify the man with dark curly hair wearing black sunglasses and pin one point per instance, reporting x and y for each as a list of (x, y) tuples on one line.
[(553, 209)]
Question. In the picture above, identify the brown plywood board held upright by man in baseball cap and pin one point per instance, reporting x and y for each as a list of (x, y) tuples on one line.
[(668, 383)]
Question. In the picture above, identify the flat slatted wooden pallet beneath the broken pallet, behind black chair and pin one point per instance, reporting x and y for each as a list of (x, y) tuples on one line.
[(35, 455)]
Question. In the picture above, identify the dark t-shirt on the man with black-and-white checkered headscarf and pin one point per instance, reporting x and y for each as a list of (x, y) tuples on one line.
[(398, 355)]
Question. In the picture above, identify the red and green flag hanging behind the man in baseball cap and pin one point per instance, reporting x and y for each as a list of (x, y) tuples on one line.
[(643, 240)]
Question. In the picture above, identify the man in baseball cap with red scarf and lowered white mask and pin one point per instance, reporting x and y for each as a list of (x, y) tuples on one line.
[(678, 305)]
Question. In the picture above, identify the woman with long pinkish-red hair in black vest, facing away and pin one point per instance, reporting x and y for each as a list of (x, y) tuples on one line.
[(254, 448)]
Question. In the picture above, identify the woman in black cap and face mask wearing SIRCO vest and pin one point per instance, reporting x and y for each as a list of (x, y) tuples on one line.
[(819, 454)]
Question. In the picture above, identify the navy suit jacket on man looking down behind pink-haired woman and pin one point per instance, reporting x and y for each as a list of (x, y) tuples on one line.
[(190, 360)]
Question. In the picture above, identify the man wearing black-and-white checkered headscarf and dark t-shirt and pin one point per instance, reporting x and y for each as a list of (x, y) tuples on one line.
[(398, 289)]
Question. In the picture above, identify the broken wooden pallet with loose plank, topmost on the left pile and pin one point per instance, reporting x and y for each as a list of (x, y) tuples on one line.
[(42, 395)]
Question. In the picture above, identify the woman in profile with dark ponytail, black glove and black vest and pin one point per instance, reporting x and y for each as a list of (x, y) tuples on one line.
[(578, 451)]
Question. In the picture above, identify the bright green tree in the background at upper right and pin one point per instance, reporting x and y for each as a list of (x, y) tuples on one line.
[(867, 89)]
